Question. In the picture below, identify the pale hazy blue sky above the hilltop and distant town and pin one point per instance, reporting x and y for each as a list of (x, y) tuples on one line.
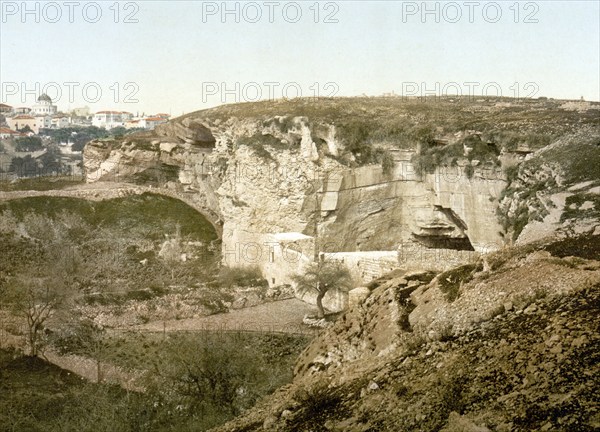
[(185, 55)]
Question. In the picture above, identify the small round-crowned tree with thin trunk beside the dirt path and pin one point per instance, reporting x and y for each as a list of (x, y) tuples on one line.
[(320, 277)]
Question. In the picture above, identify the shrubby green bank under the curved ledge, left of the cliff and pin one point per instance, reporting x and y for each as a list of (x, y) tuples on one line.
[(108, 249)]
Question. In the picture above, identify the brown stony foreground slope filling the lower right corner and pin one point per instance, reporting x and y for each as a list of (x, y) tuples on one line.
[(515, 348)]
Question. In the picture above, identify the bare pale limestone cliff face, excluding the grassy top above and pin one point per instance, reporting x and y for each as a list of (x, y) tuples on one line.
[(257, 177)]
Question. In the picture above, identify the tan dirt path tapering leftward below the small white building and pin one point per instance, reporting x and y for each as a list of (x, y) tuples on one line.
[(281, 316)]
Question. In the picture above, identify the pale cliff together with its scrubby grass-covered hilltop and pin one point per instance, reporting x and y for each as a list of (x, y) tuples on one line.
[(339, 171)]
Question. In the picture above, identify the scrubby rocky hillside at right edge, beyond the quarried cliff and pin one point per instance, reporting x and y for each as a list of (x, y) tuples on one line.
[(557, 189)]
